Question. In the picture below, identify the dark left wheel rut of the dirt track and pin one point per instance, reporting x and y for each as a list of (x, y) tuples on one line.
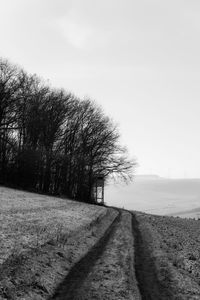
[(77, 275)]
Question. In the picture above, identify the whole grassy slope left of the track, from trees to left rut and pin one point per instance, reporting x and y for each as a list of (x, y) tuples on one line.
[(41, 238)]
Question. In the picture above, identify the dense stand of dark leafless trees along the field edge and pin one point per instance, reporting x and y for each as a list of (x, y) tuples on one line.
[(51, 141)]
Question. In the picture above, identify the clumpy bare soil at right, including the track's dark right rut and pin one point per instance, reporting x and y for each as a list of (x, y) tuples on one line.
[(168, 257)]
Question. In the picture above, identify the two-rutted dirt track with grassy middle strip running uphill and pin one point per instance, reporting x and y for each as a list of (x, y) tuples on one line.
[(118, 267)]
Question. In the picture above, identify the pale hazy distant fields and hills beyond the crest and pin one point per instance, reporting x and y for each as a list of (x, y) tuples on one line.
[(178, 197)]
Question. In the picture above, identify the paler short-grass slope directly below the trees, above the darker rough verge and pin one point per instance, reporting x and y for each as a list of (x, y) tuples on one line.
[(29, 220)]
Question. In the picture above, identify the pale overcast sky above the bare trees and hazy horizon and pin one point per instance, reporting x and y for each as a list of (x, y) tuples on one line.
[(139, 60)]
